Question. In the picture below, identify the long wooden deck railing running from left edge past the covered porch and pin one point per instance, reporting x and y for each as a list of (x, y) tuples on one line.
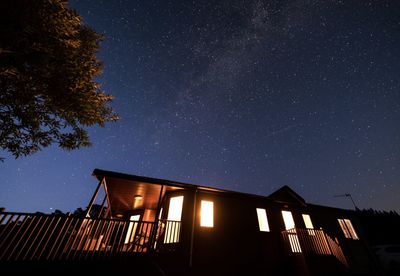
[(53, 237)]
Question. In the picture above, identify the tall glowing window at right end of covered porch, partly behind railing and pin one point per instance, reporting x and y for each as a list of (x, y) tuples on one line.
[(173, 225)]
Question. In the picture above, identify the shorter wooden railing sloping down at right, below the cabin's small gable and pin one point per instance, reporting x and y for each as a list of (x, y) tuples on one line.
[(312, 241)]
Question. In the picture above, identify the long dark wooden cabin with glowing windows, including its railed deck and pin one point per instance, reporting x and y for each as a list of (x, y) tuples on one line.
[(186, 229)]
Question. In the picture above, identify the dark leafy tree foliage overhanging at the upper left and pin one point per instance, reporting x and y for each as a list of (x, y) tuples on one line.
[(48, 66)]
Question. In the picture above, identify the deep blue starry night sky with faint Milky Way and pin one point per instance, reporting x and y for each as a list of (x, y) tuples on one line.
[(240, 95)]
